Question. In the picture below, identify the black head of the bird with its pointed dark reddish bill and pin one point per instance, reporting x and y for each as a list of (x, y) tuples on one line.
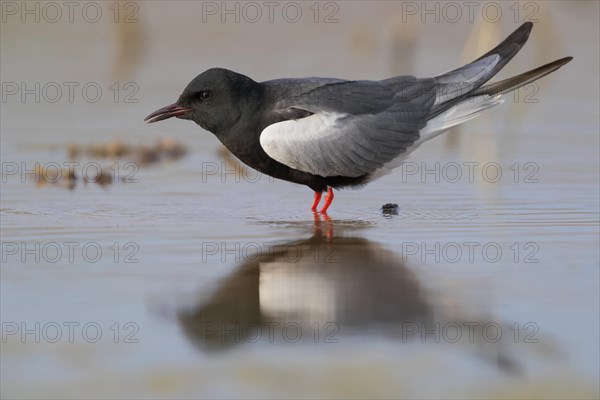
[(212, 100)]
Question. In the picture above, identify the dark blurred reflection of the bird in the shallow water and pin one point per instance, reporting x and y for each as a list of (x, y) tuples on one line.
[(323, 290)]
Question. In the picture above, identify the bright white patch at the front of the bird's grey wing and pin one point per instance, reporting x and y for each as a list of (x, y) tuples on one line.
[(295, 143)]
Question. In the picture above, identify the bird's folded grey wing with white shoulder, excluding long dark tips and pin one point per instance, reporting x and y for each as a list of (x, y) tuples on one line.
[(356, 126)]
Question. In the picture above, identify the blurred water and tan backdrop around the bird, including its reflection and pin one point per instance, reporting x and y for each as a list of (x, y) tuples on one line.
[(145, 261)]
